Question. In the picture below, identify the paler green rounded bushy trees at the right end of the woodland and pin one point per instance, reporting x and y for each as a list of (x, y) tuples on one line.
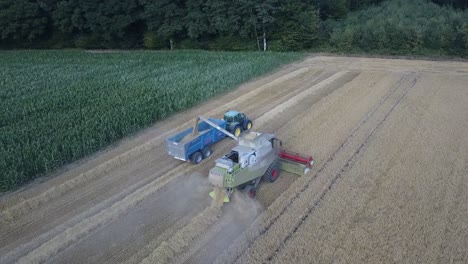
[(402, 27)]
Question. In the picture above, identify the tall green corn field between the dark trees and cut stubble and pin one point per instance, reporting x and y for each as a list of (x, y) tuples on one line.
[(59, 106)]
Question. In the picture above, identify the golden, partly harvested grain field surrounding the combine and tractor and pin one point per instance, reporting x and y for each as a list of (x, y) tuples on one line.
[(390, 182)]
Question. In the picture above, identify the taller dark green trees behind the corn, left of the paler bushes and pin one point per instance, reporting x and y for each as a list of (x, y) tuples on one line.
[(210, 24)]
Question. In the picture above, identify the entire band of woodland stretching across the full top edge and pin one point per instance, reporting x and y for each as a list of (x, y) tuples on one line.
[(233, 24)]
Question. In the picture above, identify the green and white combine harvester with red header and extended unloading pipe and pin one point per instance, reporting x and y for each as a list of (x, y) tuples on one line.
[(257, 156)]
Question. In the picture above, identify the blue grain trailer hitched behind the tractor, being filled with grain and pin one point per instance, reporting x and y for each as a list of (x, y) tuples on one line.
[(194, 147)]
